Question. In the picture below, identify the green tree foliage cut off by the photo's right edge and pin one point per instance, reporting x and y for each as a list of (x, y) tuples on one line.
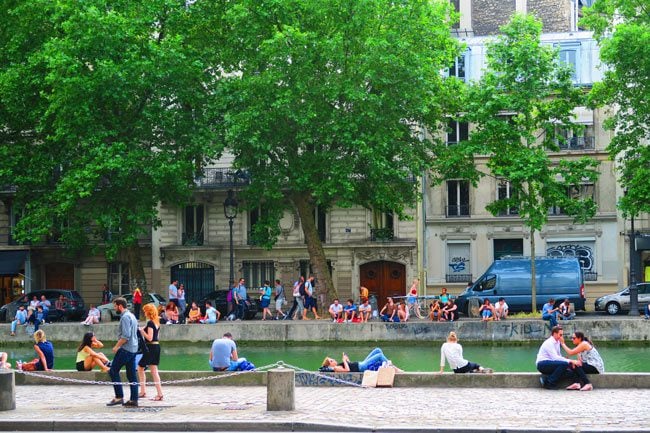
[(622, 28)]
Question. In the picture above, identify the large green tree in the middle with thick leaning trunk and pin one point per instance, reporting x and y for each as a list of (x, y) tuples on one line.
[(323, 100)]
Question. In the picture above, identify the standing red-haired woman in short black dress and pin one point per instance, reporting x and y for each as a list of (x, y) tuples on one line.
[(151, 356)]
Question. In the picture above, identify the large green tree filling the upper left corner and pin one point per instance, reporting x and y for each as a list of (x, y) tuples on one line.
[(104, 113)]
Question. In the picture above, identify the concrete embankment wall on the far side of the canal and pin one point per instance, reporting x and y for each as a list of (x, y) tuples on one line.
[(599, 329)]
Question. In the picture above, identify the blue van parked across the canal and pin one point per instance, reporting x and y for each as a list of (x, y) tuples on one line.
[(510, 278)]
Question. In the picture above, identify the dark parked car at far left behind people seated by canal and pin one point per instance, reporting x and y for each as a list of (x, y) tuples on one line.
[(74, 307)]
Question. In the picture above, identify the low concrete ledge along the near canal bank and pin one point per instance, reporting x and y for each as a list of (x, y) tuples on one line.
[(402, 380)]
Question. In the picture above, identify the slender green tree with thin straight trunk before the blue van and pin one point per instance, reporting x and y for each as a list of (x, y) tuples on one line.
[(518, 108)]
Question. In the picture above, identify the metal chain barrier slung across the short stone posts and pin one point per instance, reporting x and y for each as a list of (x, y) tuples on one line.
[(279, 364)]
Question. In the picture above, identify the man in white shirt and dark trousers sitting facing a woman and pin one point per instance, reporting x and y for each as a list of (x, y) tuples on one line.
[(550, 361)]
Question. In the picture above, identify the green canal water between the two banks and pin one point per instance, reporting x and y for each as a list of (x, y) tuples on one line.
[(417, 357)]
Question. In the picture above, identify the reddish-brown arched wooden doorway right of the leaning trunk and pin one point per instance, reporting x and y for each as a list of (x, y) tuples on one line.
[(383, 279)]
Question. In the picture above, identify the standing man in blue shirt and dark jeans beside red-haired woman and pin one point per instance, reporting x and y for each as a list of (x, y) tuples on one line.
[(125, 350)]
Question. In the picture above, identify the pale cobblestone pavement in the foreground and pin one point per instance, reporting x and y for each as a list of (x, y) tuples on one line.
[(453, 409)]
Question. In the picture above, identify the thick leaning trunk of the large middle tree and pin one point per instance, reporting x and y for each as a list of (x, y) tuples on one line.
[(306, 209)]
